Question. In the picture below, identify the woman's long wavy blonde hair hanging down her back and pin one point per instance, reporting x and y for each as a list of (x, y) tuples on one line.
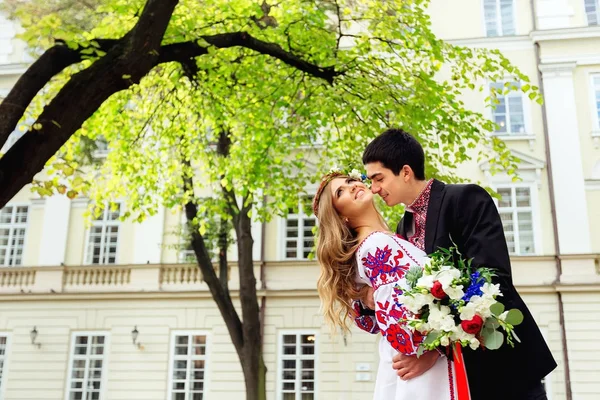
[(336, 246)]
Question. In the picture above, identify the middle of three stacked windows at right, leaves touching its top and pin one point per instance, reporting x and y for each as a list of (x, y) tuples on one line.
[(509, 114)]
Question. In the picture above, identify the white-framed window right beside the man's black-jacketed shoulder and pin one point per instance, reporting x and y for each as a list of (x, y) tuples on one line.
[(516, 212)]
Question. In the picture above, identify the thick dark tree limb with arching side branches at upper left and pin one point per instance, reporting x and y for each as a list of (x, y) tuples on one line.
[(125, 63)]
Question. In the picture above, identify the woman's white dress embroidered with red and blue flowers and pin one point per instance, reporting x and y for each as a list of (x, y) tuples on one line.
[(383, 259)]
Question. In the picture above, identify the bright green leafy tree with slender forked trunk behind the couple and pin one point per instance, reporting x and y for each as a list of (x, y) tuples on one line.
[(217, 106)]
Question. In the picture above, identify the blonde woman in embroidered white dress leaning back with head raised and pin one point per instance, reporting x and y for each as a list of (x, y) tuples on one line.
[(356, 250)]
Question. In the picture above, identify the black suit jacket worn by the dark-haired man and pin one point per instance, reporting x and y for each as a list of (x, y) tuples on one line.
[(467, 215)]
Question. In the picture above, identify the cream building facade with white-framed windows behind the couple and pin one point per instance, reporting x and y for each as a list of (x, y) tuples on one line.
[(112, 311)]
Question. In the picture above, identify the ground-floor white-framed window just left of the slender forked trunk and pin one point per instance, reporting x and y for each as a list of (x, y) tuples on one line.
[(188, 367)]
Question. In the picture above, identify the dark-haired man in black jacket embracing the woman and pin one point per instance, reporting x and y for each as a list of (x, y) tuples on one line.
[(437, 215)]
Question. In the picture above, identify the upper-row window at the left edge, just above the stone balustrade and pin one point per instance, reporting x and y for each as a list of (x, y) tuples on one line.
[(13, 226)]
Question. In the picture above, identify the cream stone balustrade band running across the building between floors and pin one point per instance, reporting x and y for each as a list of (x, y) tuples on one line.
[(531, 273)]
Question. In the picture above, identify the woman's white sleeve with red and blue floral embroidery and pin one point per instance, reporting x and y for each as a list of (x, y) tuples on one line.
[(384, 260)]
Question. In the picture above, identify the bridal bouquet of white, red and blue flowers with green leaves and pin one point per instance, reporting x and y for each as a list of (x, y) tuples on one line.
[(453, 304)]
